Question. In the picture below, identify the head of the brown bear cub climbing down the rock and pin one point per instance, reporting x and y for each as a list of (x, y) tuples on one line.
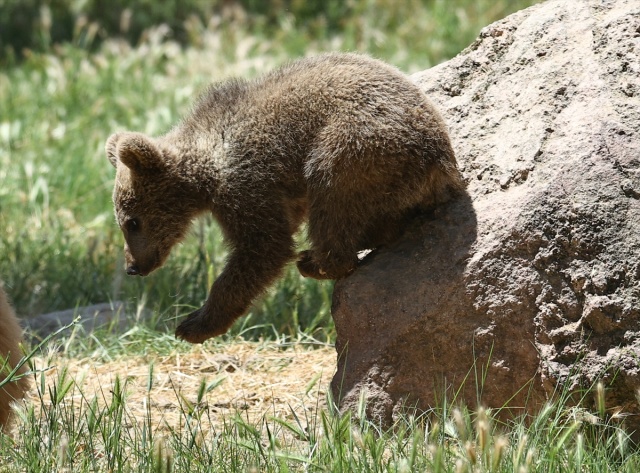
[(152, 208)]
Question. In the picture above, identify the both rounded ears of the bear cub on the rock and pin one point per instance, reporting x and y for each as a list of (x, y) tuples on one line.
[(134, 150)]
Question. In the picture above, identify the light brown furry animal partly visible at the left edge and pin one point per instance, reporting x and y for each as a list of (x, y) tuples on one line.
[(10, 338)]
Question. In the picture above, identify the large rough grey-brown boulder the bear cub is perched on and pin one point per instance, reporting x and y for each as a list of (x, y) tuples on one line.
[(532, 282)]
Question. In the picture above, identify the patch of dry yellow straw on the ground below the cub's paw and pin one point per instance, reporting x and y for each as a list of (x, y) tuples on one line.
[(256, 379)]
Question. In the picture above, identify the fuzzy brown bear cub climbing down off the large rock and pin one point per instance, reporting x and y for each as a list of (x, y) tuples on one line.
[(342, 140)]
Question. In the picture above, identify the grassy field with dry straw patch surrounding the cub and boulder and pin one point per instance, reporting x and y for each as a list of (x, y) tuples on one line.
[(73, 72)]
